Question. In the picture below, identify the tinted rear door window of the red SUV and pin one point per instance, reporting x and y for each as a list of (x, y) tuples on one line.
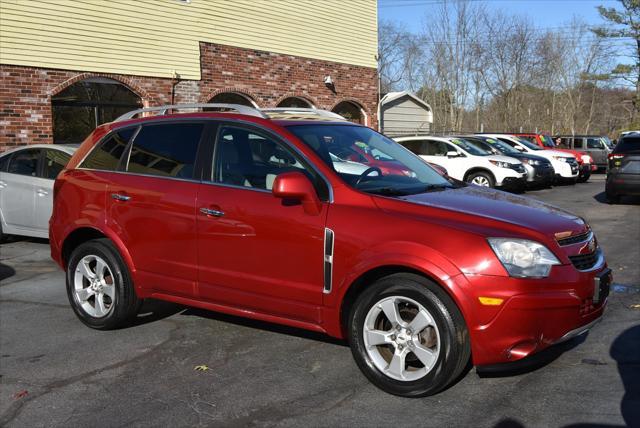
[(167, 150)]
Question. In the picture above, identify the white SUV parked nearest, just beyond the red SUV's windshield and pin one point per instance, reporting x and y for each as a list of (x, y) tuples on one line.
[(465, 161)]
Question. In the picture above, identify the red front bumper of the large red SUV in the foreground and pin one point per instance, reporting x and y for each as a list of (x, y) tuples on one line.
[(534, 314)]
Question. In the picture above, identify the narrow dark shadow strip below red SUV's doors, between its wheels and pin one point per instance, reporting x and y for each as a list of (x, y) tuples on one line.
[(263, 325)]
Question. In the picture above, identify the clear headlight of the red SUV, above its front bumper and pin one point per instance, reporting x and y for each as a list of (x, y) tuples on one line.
[(523, 258)]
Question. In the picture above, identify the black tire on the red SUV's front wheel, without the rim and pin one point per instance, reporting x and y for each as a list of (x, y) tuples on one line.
[(454, 344)]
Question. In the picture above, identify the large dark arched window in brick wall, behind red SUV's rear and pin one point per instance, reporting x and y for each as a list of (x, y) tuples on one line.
[(79, 108)]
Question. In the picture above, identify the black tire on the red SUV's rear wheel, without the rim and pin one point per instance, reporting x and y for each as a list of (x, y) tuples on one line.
[(125, 304)]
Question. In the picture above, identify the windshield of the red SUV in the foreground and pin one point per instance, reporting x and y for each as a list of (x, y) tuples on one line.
[(412, 175)]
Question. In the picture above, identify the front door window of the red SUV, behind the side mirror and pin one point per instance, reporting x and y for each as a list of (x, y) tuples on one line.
[(246, 158)]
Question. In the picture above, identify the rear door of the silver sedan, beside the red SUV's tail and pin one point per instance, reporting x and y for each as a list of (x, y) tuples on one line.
[(53, 161)]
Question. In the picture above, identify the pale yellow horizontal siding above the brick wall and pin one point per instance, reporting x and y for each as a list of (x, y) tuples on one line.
[(158, 37)]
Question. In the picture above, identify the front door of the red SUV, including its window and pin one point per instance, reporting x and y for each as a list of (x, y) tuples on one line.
[(255, 251)]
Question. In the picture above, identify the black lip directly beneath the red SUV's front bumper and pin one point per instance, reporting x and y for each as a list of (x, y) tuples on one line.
[(531, 363)]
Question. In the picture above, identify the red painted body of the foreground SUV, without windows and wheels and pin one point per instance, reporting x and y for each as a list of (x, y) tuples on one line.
[(269, 265)]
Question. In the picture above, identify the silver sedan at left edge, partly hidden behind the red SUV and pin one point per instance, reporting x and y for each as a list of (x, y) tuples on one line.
[(26, 187)]
